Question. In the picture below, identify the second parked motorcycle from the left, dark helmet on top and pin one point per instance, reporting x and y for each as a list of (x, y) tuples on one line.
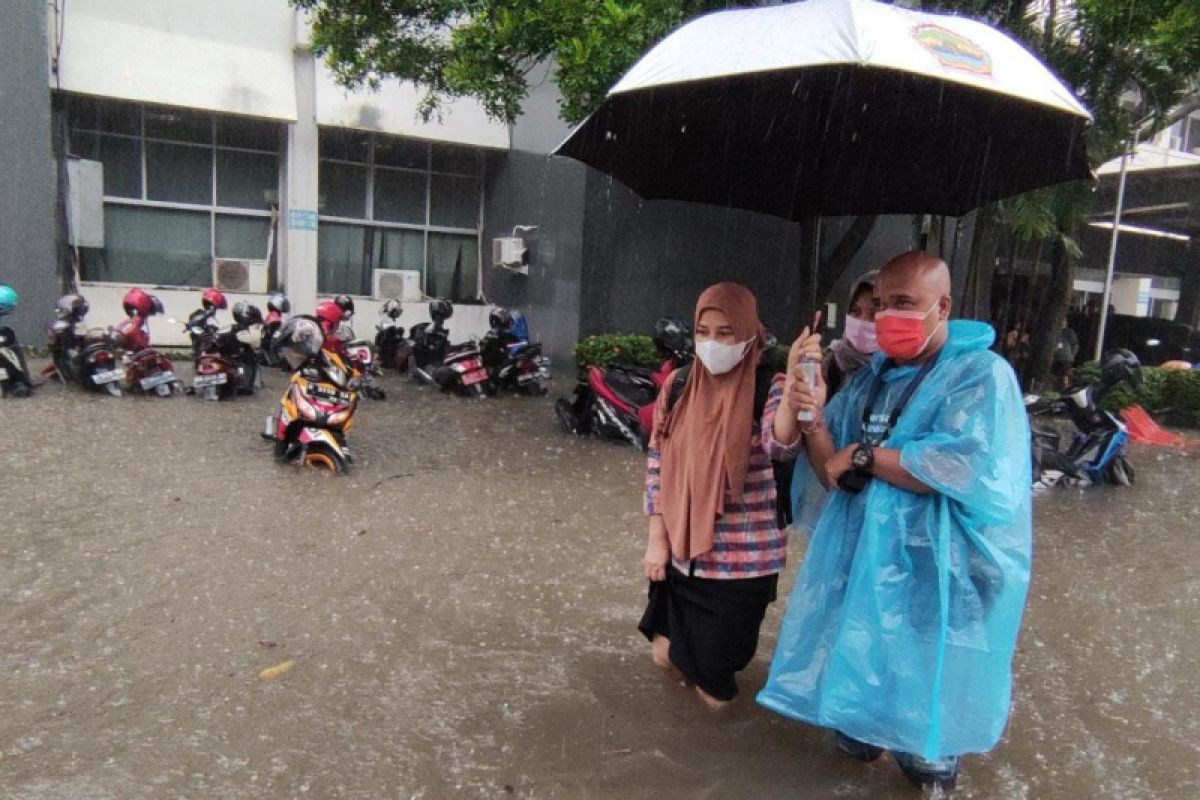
[(88, 360)]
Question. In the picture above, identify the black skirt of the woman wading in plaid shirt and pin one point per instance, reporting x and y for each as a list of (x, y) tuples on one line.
[(712, 623)]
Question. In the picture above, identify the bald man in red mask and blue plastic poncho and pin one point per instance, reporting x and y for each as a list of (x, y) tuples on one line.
[(902, 627)]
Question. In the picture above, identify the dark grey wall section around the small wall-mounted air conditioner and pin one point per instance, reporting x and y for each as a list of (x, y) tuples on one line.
[(525, 189)]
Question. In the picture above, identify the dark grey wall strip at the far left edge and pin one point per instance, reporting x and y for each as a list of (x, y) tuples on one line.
[(27, 193)]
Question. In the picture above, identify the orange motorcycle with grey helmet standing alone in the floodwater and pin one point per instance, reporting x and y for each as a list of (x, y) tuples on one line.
[(317, 410)]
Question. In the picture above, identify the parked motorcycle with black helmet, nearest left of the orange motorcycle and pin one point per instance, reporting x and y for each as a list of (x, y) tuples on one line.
[(226, 362)]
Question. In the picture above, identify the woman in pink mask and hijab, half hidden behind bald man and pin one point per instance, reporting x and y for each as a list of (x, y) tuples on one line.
[(844, 359)]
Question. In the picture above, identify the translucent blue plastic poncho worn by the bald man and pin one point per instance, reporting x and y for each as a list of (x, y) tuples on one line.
[(902, 627)]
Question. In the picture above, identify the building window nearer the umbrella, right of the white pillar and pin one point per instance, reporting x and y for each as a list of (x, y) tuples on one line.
[(393, 203)]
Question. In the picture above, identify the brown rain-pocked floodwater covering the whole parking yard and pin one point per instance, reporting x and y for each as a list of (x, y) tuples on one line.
[(459, 616)]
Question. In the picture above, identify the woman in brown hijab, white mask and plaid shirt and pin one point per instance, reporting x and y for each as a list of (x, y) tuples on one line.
[(715, 550)]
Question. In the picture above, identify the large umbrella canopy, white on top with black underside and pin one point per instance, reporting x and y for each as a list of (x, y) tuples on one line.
[(837, 107)]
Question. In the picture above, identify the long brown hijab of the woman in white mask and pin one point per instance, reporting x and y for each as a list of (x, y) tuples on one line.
[(706, 438)]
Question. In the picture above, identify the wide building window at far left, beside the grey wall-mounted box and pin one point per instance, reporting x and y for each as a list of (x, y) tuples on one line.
[(181, 188)]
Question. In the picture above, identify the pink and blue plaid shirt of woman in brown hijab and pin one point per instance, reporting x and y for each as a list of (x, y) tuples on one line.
[(747, 543)]
